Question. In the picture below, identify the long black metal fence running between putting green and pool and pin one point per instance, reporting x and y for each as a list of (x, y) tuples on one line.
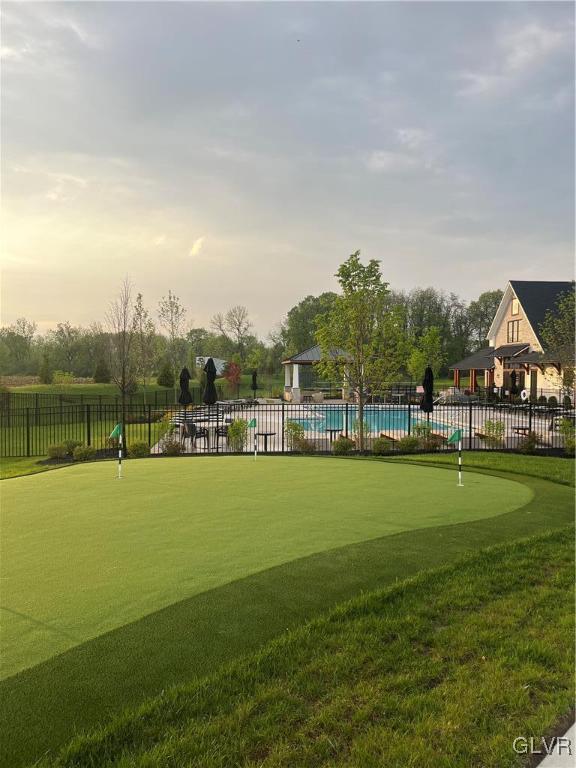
[(286, 427)]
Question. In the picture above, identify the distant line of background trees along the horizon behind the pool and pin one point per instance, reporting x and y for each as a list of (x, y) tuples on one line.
[(134, 343)]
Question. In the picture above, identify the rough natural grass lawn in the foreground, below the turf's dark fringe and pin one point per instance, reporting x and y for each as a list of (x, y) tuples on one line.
[(441, 671)]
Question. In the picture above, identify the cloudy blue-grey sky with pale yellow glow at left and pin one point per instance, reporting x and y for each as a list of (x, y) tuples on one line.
[(237, 153)]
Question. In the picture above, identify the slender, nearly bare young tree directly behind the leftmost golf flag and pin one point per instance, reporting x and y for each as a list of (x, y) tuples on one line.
[(120, 321)]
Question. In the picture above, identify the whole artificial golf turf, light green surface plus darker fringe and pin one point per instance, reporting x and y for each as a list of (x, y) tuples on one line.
[(113, 588)]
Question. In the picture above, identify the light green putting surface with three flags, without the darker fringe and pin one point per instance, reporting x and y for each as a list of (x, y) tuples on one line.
[(84, 553)]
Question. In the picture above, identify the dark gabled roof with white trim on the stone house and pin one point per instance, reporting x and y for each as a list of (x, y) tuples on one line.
[(536, 297)]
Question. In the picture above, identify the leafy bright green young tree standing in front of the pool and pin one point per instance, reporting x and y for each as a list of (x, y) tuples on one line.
[(361, 337)]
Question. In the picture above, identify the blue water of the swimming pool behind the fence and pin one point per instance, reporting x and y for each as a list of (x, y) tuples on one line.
[(378, 419)]
